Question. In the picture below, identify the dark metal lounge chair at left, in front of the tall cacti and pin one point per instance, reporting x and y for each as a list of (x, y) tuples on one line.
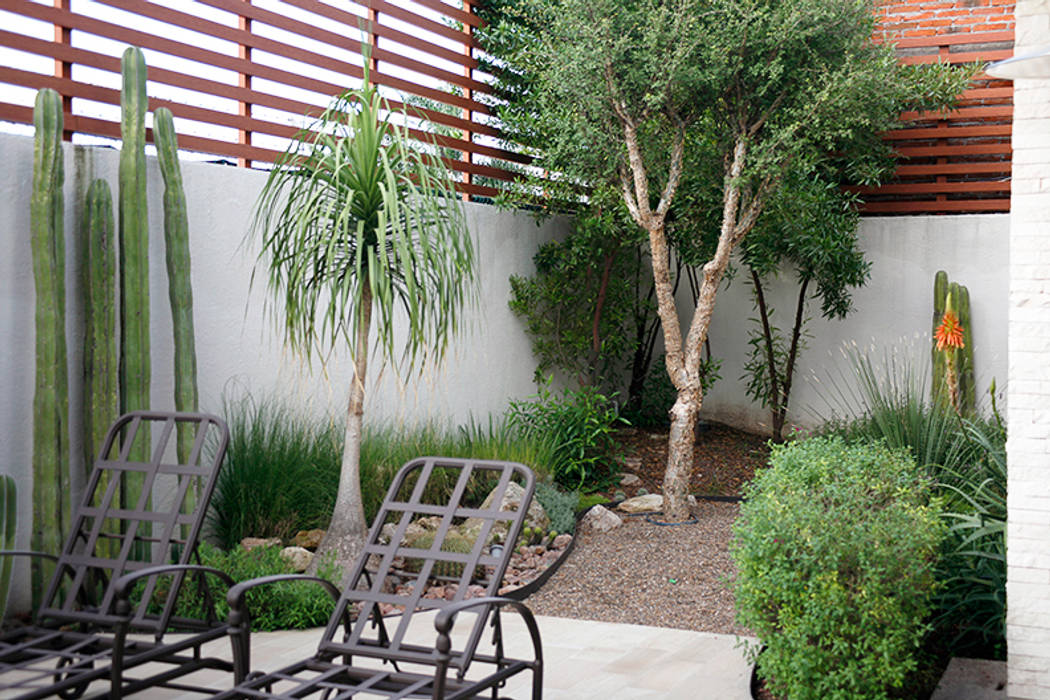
[(80, 632)]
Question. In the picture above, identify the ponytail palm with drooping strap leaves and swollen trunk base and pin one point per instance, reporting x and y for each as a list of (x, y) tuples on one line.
[(362, 232)]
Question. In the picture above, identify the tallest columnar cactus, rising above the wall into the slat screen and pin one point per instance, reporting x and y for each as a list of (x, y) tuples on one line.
[(134, 250)]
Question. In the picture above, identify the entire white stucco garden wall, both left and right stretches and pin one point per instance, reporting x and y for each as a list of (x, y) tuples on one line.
[(238, 346)]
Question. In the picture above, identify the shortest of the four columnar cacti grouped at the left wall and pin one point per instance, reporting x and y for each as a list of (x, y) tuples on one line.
[(101, 398)]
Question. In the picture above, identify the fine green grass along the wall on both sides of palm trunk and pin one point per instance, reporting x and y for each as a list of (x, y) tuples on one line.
[(282, 466)]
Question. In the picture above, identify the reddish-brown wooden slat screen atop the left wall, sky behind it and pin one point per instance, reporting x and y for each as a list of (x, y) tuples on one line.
[(241, 76)]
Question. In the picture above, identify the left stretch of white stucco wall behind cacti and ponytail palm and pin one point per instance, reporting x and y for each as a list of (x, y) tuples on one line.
[(237, 344)]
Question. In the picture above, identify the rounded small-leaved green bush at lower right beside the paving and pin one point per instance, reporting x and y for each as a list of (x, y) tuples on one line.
[(836, 549)]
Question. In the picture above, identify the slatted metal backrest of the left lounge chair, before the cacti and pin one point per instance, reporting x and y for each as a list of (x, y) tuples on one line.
[(141, 507)]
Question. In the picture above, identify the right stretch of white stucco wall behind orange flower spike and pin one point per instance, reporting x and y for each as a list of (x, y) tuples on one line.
[(895, 309)]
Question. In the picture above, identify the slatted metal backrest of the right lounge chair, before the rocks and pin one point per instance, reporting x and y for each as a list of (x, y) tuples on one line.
[(400, 574)]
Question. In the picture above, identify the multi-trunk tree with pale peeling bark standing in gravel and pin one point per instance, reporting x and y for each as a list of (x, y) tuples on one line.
[(622, 90)]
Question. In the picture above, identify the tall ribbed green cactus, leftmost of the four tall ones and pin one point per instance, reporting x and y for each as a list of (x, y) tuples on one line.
[(51, 402)]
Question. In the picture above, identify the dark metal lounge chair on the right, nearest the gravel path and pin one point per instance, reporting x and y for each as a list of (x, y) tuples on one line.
[(371, 657)]
